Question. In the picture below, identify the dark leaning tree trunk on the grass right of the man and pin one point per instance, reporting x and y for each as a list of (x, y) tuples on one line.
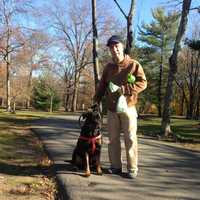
[(165, 125)]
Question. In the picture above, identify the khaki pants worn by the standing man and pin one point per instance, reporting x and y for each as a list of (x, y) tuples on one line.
[(126, 123)]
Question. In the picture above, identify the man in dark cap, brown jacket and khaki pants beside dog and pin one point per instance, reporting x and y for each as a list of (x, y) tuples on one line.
[(123, 77)]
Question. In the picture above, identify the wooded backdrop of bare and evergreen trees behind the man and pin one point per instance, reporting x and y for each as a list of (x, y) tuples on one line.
[(47, 56)]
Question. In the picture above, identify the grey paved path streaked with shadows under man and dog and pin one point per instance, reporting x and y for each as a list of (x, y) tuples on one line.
[(165, 172)]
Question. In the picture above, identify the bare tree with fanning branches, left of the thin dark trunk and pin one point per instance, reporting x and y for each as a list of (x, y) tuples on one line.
[(76, 37)]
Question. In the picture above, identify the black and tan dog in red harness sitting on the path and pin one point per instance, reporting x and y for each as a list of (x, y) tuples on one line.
[(88, 148)]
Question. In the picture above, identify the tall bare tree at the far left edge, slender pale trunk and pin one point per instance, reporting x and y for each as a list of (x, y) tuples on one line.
[(11, 37)]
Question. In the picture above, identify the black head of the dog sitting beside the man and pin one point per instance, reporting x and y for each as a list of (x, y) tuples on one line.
[(90, 123)]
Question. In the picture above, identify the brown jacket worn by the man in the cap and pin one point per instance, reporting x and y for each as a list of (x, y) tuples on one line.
[(117, 73)]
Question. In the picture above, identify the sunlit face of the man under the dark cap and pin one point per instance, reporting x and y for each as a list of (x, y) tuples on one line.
[(117, 51)]
